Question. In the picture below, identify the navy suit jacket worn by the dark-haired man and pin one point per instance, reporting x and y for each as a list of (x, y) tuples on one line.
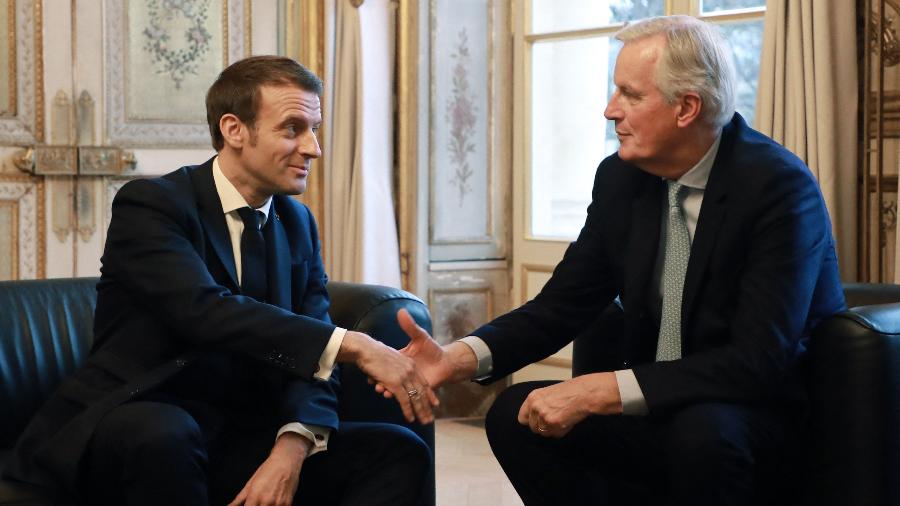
[(168, 298)]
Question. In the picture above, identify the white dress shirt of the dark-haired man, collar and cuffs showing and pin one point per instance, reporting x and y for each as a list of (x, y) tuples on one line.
[(231, 201)]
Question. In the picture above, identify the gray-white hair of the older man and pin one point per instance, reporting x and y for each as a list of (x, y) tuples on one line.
[(696, 58)]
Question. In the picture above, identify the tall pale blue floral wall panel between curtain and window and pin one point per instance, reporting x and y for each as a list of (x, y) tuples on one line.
[(467, 173)]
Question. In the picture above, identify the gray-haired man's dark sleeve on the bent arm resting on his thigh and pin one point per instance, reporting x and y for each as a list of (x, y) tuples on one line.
[(788, 249)]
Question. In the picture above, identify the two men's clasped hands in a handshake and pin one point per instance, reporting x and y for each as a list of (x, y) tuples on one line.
[(411, 374)]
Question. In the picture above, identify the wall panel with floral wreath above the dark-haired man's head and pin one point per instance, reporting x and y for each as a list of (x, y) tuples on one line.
[(161, 58)]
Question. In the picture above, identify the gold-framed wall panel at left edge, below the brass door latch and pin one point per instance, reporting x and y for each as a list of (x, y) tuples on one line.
[(22, 246)]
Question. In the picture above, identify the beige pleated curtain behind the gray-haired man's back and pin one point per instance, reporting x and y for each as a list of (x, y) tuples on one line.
[(807, 101)]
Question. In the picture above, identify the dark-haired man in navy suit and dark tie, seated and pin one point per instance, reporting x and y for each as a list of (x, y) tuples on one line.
[(212, 377)]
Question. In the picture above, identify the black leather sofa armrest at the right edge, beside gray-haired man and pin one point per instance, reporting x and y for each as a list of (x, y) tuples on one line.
[(854, 385)]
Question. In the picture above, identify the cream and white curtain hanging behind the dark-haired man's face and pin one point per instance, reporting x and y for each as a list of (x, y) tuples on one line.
[(360, 225)]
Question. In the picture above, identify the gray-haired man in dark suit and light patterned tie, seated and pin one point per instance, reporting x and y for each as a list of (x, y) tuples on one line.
[(717, 244)]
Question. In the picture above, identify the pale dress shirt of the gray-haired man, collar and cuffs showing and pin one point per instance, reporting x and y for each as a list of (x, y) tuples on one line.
[(633, 401)]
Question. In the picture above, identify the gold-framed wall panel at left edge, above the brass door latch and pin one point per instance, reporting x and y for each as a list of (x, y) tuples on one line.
[(21, 92)]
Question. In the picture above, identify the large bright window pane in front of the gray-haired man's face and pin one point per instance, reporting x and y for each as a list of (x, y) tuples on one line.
[(570, 85)]
